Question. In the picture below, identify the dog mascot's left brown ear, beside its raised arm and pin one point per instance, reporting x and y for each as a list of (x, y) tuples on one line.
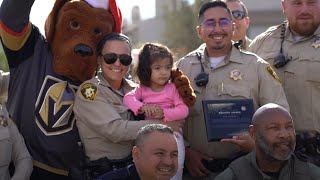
[(52, 18)]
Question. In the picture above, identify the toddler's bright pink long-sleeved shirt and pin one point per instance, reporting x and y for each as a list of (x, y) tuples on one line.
[(168, 99)]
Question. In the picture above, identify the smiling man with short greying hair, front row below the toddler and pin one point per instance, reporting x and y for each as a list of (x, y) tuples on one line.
[(155, 156)]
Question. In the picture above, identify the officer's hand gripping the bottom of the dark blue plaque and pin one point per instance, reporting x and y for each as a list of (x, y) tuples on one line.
[(244, 142)]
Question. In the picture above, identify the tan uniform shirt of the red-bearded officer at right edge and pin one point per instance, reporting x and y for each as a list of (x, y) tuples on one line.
[(300, 76)]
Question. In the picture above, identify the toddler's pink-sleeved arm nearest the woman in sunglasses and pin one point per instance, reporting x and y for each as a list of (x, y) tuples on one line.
[(133, 100)]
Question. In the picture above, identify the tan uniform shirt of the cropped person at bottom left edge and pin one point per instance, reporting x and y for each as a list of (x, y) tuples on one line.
[(13, 149)]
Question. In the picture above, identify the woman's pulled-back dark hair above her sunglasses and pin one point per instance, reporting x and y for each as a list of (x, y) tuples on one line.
[(110, 37)]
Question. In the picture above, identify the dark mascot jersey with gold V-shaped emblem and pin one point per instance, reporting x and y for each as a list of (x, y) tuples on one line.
[(39, 100)]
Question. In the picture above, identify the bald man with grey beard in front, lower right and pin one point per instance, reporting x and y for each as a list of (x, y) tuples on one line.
[(273, 131)]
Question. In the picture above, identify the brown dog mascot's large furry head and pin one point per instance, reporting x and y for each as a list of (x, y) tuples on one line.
[(74, 28)]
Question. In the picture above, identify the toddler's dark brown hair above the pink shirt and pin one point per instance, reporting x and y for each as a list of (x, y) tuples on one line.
[(149, 54)]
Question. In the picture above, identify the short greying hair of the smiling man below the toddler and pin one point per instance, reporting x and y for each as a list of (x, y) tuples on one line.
[(145, 131)]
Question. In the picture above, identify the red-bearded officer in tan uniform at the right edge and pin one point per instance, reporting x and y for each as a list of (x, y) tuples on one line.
[(294, 49)]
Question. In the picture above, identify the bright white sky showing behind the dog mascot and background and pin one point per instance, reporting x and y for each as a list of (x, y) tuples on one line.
[(41, 9)]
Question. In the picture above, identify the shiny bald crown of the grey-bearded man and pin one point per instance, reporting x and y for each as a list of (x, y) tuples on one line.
[(267, 112)]
